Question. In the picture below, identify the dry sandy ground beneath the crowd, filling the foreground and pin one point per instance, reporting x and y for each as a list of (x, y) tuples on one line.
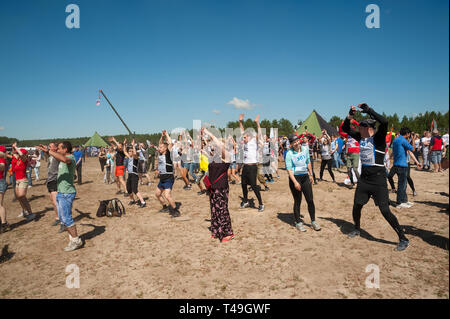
[(147, 254)]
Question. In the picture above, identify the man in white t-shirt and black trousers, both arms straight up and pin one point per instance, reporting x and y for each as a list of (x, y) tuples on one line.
[(250, 168)]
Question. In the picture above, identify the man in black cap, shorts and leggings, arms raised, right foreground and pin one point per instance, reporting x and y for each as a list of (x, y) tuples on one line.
[(372, 181)]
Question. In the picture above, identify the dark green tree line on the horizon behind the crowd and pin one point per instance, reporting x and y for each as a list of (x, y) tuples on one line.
[(418, 124)]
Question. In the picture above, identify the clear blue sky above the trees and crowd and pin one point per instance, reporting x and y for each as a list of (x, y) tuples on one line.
[(164, 63)]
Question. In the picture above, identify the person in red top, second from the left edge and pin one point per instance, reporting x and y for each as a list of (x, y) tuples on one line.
[(19, 166)]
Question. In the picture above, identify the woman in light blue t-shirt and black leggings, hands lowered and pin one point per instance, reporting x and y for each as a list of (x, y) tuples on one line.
[(298, 166)]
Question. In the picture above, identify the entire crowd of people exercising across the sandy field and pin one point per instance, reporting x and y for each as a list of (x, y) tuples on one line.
[(250, 159)]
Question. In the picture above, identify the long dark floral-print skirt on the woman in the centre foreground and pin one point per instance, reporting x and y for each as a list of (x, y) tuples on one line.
[(220, 216)]
